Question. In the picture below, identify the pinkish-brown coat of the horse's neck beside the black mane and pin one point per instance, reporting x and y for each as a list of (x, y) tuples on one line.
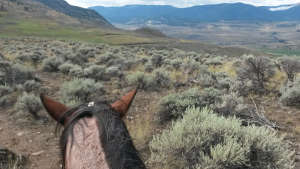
[(86, 151)]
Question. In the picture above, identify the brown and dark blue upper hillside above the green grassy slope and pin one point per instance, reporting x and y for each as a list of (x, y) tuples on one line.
[(57, 11)]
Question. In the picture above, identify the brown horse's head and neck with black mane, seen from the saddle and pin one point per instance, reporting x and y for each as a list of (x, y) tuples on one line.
[(95, 136)]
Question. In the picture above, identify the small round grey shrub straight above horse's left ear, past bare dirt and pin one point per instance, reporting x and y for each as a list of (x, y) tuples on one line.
[(52, 64)]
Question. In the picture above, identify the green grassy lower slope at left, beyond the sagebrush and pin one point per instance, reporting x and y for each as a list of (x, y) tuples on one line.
[(20, 27)]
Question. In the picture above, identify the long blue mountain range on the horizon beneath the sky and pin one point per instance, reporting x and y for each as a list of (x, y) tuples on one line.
[(161, 14)]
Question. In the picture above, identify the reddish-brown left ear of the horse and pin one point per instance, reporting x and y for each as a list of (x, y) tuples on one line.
[(54, 108)]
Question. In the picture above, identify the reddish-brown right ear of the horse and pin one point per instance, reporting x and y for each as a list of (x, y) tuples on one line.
[(124, 103)]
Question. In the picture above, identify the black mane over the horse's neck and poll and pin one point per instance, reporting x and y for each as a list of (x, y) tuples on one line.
[(115, 139)]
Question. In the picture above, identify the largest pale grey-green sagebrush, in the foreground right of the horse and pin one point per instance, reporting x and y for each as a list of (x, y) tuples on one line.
[(202, 139)]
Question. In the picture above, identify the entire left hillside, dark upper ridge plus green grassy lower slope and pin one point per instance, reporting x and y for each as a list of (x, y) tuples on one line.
[(58, 20)]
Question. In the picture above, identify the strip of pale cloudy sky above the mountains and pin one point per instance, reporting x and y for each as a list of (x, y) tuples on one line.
[(177, 3)]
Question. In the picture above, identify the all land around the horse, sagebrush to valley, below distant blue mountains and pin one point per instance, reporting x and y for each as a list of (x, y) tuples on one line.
[(203, 102)]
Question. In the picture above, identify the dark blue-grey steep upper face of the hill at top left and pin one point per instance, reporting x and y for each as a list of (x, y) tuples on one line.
[(76, 12)]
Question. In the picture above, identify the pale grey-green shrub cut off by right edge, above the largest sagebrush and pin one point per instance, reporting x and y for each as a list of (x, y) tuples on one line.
[(290, 94)]
